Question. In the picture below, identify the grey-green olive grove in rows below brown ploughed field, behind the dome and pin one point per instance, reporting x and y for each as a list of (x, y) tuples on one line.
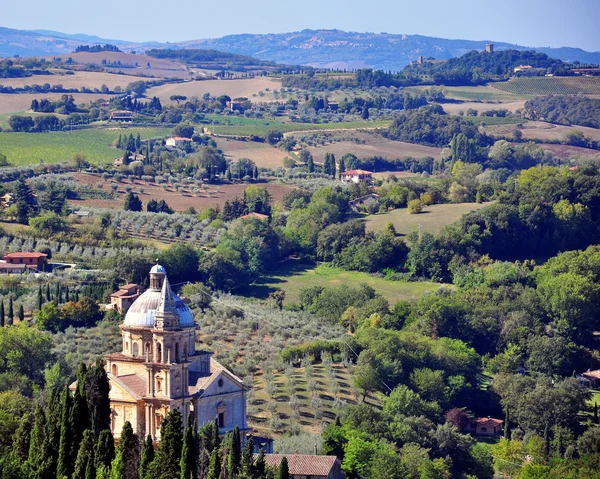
[(167, 228)]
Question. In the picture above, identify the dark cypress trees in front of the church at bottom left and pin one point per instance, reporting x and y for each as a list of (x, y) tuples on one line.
[(69, 437)]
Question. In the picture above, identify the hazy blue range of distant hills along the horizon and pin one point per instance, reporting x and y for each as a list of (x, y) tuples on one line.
[(319, 48)]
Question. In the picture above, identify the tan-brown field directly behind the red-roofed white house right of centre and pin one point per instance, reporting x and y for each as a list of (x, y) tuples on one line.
[(374, 145)]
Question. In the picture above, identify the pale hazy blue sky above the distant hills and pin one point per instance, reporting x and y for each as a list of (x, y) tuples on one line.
[(539, 23)]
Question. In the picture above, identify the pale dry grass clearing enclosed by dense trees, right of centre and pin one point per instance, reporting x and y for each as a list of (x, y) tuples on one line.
[(432, 220)]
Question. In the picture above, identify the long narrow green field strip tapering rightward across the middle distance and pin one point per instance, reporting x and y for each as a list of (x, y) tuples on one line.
[(249, 126)]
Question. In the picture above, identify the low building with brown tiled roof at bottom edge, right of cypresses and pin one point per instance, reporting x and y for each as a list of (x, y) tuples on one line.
[(303, 466)]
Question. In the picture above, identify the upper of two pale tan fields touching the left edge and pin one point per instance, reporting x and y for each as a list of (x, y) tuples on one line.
[(78, 80)]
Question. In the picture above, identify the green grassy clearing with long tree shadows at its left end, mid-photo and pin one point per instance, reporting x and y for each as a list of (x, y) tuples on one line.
[(298, 276)]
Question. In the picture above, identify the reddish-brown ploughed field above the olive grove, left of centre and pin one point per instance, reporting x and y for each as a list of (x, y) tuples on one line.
[(205, 197)]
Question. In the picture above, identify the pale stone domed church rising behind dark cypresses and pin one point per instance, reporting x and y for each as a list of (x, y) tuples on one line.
[(160, 368)]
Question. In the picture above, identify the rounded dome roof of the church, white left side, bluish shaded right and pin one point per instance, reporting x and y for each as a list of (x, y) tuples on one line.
[(143, 310)]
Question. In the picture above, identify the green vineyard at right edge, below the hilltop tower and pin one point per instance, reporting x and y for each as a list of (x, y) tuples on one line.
[(551, 86)]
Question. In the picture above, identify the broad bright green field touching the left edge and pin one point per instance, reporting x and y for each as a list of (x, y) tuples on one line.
[(59, 146)]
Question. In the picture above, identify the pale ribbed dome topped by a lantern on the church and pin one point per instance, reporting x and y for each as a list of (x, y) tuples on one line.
[(142, 312)]
